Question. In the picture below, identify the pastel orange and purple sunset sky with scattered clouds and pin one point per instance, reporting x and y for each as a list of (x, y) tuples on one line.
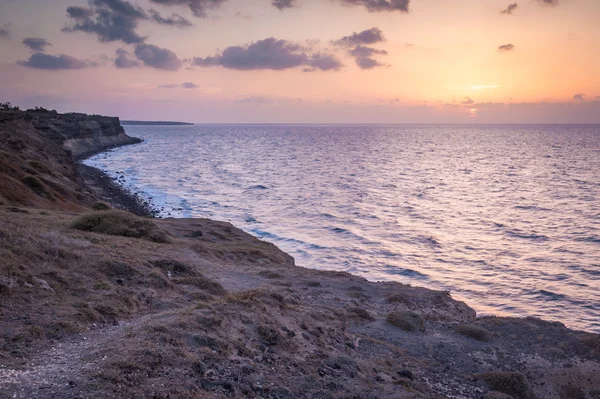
[(305, 61)]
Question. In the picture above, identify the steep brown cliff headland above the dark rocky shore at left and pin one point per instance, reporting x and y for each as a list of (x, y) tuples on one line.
[(38, 153)]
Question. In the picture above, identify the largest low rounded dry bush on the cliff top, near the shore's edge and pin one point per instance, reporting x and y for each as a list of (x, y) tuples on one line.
[(119, 223)]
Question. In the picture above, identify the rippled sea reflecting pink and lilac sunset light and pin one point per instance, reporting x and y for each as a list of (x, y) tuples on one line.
[(505, 217)]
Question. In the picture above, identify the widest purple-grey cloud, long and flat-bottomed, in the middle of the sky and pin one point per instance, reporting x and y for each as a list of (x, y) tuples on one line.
[(269, 53)]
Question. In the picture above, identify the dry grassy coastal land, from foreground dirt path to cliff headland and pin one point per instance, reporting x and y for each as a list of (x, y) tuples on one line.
[(97, 302)]
